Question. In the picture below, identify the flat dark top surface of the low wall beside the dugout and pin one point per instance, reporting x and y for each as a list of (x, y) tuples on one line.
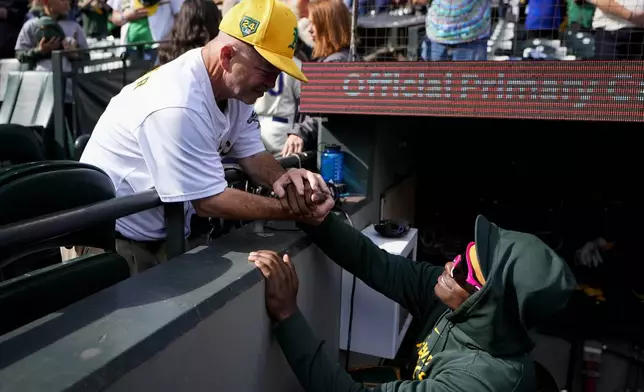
[(91, 344)]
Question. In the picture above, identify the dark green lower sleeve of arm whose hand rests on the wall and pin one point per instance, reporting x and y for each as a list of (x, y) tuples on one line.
[(317, 373)]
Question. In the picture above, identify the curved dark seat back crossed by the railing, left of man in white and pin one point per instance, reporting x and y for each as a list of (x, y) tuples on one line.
[(36, 189)]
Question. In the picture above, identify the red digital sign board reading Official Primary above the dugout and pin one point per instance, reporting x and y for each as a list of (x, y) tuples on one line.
[(566, 90)]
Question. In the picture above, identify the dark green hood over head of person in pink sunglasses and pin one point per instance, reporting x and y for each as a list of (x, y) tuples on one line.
[(526, 282)]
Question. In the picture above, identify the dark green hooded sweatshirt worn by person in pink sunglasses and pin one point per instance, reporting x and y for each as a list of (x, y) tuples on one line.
[(481, 346)]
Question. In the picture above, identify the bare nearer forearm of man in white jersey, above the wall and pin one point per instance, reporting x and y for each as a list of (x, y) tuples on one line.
[(240, 205)]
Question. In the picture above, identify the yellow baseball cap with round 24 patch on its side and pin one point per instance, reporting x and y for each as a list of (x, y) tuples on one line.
[(271, 27)]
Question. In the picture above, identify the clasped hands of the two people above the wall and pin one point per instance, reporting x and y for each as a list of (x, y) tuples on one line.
[(304, 195)]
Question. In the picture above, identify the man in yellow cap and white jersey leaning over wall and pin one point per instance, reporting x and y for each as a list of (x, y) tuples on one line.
[(171, 129)]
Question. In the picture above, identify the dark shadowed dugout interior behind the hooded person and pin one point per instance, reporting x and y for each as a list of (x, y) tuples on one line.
[(567, 182)]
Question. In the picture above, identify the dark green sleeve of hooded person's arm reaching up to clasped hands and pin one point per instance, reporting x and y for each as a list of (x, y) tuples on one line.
[(407, 282)]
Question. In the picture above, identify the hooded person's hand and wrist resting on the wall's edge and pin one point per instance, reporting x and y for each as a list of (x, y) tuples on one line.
[(281, 283)]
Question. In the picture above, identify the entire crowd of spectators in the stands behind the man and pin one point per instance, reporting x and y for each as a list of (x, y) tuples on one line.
[(455, 30)]
